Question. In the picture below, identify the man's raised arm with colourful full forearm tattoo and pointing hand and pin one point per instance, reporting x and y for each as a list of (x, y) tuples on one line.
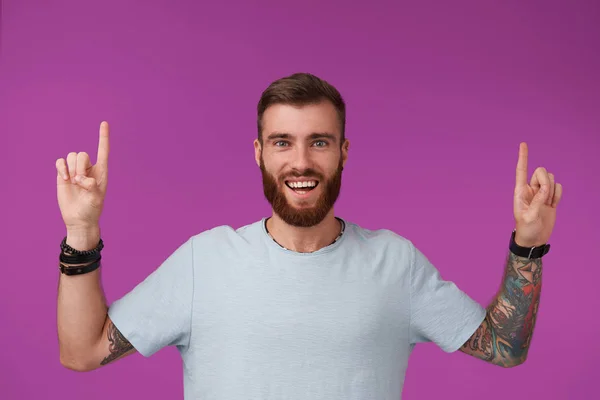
[(504, 337)]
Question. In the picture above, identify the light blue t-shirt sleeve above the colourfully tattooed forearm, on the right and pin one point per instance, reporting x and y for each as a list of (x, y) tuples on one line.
[(440, 311)]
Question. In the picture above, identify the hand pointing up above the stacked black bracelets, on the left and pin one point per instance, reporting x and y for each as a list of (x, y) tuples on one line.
[(81, 187)]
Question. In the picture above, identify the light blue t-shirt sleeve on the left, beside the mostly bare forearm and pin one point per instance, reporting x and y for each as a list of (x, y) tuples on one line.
[(157, 312)]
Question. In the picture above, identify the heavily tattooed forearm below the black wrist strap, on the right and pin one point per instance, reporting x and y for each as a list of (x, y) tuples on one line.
[(505, 335)]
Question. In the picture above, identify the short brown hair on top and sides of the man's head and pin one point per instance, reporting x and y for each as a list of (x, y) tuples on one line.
[(301, 89)]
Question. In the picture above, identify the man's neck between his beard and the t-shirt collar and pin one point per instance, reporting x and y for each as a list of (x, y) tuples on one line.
[(304, 240)]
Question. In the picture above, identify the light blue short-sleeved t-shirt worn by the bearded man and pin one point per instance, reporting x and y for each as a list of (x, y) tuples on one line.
[(253, 320)]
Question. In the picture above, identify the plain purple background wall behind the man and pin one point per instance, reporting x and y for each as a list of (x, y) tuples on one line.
[(439, 96)]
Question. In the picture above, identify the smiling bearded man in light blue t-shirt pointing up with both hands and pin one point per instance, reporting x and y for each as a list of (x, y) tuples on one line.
[(303, 304)]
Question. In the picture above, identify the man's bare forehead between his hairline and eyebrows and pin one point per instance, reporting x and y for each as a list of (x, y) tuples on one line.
[(301, 121)]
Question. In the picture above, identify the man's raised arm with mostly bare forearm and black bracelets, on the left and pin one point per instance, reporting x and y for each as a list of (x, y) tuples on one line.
[(87, 337)]
